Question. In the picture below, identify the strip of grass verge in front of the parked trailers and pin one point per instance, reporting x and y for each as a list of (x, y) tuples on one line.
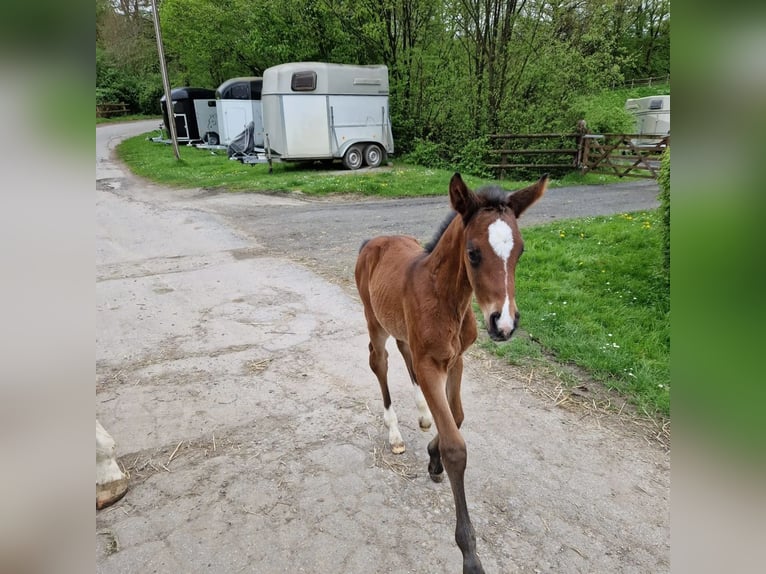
[(201, 168)]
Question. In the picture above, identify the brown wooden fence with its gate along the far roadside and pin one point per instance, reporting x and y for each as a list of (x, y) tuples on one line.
[(619, 154)]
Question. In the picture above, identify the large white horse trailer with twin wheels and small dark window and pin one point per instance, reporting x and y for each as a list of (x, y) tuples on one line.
[(315, 111)]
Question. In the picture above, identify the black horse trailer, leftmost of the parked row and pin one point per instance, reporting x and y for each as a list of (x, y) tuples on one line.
[(194, 112)]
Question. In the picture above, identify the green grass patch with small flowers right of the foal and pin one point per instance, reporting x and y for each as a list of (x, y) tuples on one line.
[(592, 293)]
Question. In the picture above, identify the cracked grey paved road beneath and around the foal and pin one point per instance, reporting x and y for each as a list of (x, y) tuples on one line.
[(232, 372)]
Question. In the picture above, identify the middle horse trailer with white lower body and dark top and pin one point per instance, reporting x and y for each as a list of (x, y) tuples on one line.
[(239, 103)]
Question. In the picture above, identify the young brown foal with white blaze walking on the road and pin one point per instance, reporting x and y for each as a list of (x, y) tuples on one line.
[(422, 298)]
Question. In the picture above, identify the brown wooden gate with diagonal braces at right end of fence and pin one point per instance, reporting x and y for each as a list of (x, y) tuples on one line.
[(637, 155)]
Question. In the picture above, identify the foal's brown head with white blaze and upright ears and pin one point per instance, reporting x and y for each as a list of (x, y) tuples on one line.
[(493, 246)]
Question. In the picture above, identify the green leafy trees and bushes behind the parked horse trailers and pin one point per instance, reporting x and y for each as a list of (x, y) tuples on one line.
[(457, 71)]
